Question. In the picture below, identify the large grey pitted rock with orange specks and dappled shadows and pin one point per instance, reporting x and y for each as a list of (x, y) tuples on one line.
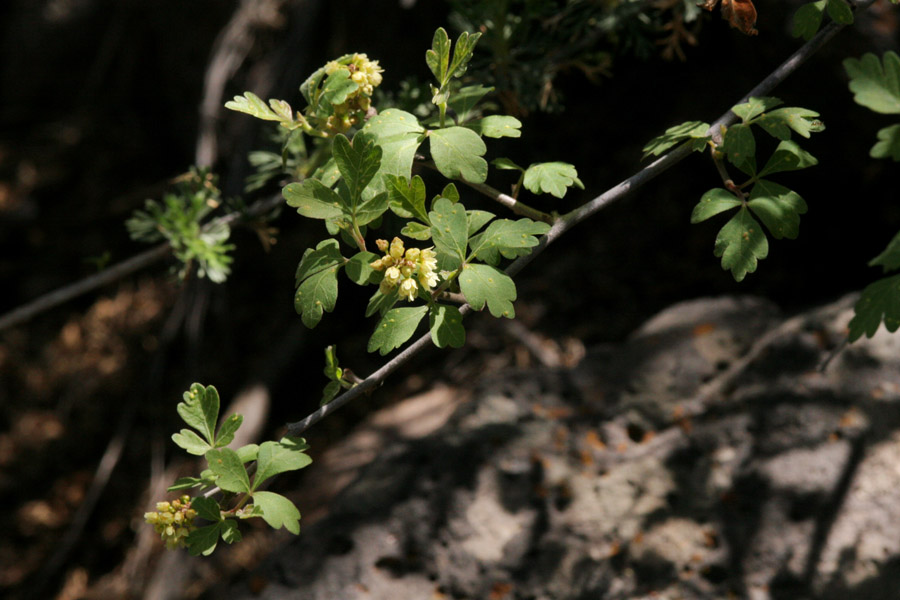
[(705, 457)]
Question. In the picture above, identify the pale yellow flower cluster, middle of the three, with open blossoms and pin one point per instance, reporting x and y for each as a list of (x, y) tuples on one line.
[(403, 268)]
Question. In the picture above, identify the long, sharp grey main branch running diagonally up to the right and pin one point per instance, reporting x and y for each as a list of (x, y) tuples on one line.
[(573, 218)]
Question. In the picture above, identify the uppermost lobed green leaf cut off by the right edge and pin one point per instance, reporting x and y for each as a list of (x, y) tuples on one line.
[(875, 85)]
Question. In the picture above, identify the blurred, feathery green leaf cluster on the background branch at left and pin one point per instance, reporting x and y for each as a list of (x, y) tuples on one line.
[(178, 219)]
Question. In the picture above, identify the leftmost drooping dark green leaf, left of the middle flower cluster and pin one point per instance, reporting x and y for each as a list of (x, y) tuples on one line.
[(317, 281)]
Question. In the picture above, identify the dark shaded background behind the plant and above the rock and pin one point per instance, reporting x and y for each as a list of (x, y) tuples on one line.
[(99, 108)]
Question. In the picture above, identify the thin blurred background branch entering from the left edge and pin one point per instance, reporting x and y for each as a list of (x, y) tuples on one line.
[(120, 270)]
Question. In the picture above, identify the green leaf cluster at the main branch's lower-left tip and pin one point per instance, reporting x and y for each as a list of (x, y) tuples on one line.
[(227, 469)]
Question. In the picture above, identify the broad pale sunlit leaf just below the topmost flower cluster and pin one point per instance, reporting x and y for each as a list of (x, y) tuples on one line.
[(398, 133)]
